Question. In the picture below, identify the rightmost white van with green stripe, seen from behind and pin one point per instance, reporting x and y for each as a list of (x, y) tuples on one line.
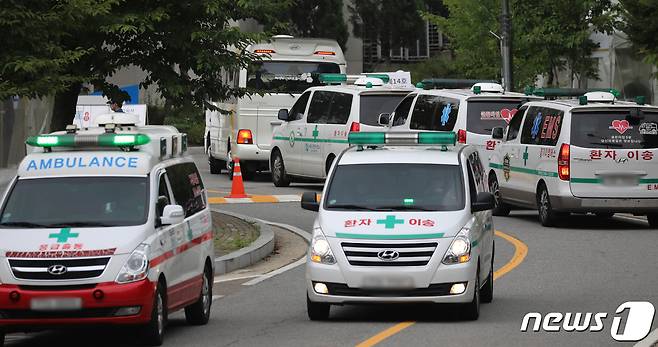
[(592, 154)]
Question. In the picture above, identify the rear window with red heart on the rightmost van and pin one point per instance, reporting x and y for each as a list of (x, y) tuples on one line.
[(625, 129)]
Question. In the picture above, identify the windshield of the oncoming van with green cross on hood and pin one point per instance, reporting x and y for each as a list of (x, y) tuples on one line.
[(389, 187)]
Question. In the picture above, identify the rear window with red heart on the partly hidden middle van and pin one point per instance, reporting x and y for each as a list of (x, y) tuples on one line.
[(485, 115)]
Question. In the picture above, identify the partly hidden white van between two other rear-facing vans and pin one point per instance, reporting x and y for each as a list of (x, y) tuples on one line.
[(471, 113)]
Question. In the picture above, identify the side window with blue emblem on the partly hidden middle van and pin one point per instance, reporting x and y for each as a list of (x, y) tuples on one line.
[(434, 113)]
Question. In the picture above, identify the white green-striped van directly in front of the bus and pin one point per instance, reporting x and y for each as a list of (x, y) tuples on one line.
[(314, 130)]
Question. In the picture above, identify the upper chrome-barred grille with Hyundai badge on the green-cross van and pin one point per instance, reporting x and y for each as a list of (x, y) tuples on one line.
[(410, 254)]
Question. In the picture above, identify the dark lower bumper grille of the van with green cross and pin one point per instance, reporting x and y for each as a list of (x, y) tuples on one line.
[(341, 289)]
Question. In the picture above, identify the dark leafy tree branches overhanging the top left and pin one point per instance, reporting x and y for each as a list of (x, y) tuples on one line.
[(182, 45)]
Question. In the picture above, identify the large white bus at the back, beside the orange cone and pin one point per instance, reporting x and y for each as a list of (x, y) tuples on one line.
[(289, 67)]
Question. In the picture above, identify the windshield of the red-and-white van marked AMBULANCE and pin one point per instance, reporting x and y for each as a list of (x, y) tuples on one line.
[(76, 202)]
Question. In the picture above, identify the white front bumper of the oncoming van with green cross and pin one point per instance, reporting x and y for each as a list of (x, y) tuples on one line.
[(344, 290)]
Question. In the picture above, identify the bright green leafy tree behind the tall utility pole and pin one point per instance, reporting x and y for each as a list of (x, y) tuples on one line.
[(548, 36)]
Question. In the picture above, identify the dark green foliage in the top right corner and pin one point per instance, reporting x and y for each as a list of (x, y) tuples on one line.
[(638, 22)]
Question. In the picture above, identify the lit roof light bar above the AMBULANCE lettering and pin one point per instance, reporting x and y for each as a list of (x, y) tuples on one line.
[(103, 140)]
